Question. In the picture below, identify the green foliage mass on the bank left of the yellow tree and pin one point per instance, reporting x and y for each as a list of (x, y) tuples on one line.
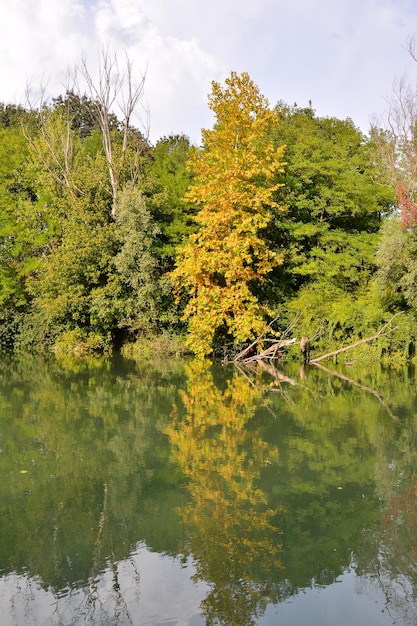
[(85, 275)]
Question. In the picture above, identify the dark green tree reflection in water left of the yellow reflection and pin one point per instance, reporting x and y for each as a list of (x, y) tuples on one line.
[(85, 474)]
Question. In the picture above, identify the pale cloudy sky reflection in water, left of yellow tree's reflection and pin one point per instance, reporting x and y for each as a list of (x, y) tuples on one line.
[(143, 589)]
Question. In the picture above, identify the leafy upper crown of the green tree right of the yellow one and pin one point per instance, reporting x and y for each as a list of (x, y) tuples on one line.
[(333, 204)]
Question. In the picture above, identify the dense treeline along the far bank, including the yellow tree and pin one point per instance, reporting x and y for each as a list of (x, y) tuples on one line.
[(107, 240)]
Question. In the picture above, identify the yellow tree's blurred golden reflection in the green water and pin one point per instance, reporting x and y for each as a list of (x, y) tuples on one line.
[(231, 534)]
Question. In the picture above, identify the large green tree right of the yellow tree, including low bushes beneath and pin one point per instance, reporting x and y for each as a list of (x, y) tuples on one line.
[(329, 231)]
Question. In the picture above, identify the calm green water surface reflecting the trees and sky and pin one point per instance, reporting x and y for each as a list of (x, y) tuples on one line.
[(178, 495)]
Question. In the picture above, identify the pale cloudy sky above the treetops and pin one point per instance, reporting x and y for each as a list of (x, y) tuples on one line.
[(342, 55)]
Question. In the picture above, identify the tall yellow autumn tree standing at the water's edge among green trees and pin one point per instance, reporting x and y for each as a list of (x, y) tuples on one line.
[(234, 185)]
